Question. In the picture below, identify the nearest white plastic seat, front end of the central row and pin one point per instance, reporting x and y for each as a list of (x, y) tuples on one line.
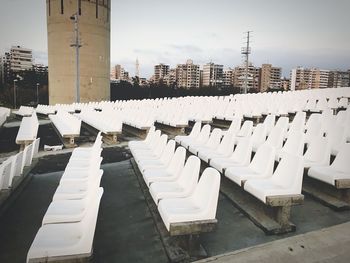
[(200, 205)]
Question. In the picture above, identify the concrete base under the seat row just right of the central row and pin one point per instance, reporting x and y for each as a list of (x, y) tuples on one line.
[(272, 217)]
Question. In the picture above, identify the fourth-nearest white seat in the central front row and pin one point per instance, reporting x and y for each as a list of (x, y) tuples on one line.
[(163, 160)]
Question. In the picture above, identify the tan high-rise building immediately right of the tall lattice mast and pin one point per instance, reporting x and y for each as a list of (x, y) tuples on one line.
[(269, 77)]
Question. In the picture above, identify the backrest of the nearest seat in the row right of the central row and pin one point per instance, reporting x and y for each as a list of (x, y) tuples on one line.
[(289, 173)]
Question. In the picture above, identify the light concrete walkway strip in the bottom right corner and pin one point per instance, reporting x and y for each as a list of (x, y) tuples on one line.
[(326, 245)]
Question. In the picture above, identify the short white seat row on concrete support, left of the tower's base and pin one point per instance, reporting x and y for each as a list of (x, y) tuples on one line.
[(28, 130)]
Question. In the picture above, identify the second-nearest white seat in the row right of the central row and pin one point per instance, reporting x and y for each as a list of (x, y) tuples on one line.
[(260, 167)]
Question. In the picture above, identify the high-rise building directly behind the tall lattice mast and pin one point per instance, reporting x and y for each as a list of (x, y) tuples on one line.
[(239, 76)]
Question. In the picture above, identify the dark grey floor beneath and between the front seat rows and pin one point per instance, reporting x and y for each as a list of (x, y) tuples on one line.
[(125, 231)]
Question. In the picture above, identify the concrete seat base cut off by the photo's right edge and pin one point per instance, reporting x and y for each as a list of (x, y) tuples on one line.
[(336, 197)]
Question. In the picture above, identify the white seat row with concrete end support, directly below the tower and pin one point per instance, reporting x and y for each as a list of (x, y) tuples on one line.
[(67, 127)]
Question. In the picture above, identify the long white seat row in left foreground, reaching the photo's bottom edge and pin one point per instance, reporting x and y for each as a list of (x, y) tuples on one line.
[(68, 227)]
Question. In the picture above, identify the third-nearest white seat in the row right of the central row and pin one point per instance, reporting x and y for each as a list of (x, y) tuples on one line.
[(240, 157)]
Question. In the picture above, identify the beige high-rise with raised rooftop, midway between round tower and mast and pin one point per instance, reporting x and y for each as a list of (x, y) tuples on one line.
[(187, 75)]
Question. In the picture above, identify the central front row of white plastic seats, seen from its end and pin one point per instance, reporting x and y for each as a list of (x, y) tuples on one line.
[(173, 184)]
